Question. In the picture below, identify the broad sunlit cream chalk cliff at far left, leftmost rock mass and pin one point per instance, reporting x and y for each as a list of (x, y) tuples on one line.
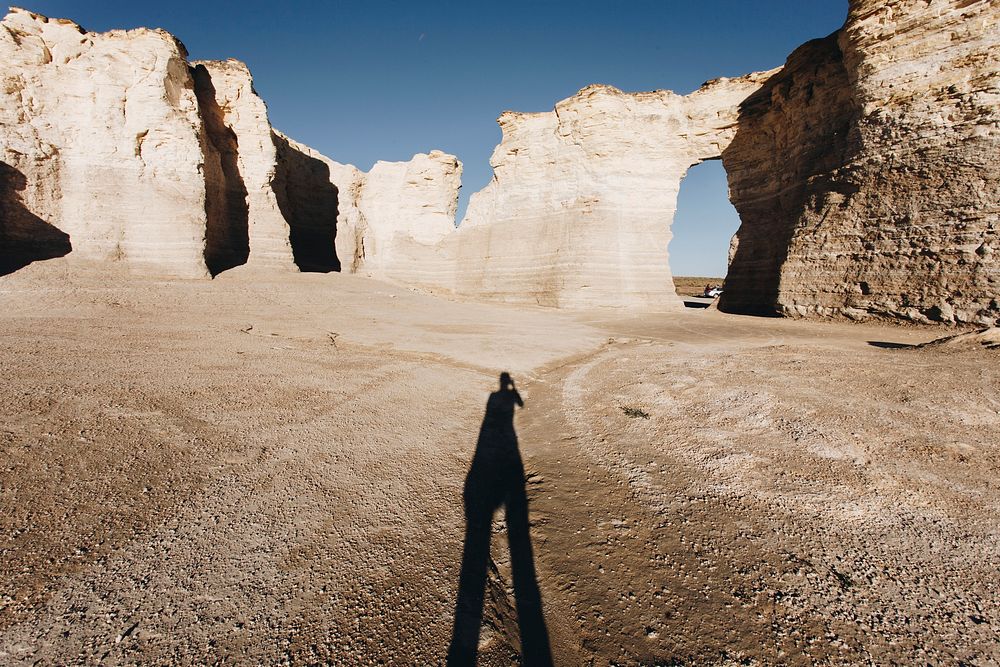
[(100, 139)]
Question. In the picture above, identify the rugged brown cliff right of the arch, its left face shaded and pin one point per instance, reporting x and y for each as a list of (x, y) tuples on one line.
[(865, 173)]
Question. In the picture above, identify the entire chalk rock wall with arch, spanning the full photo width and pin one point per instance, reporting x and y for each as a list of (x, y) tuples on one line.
[(864, 172)]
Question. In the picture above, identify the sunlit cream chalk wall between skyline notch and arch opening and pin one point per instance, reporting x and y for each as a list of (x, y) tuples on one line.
[(579, 210)]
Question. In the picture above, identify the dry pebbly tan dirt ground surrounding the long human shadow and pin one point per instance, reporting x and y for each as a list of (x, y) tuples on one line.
[(270, 470)]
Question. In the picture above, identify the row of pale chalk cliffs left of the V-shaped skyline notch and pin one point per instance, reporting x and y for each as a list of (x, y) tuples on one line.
[(115, 148)]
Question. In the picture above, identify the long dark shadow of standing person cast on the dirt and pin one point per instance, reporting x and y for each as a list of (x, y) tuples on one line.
[(496, 477)]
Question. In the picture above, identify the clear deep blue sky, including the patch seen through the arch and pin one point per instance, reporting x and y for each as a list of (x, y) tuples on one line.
[(378, 79)]
